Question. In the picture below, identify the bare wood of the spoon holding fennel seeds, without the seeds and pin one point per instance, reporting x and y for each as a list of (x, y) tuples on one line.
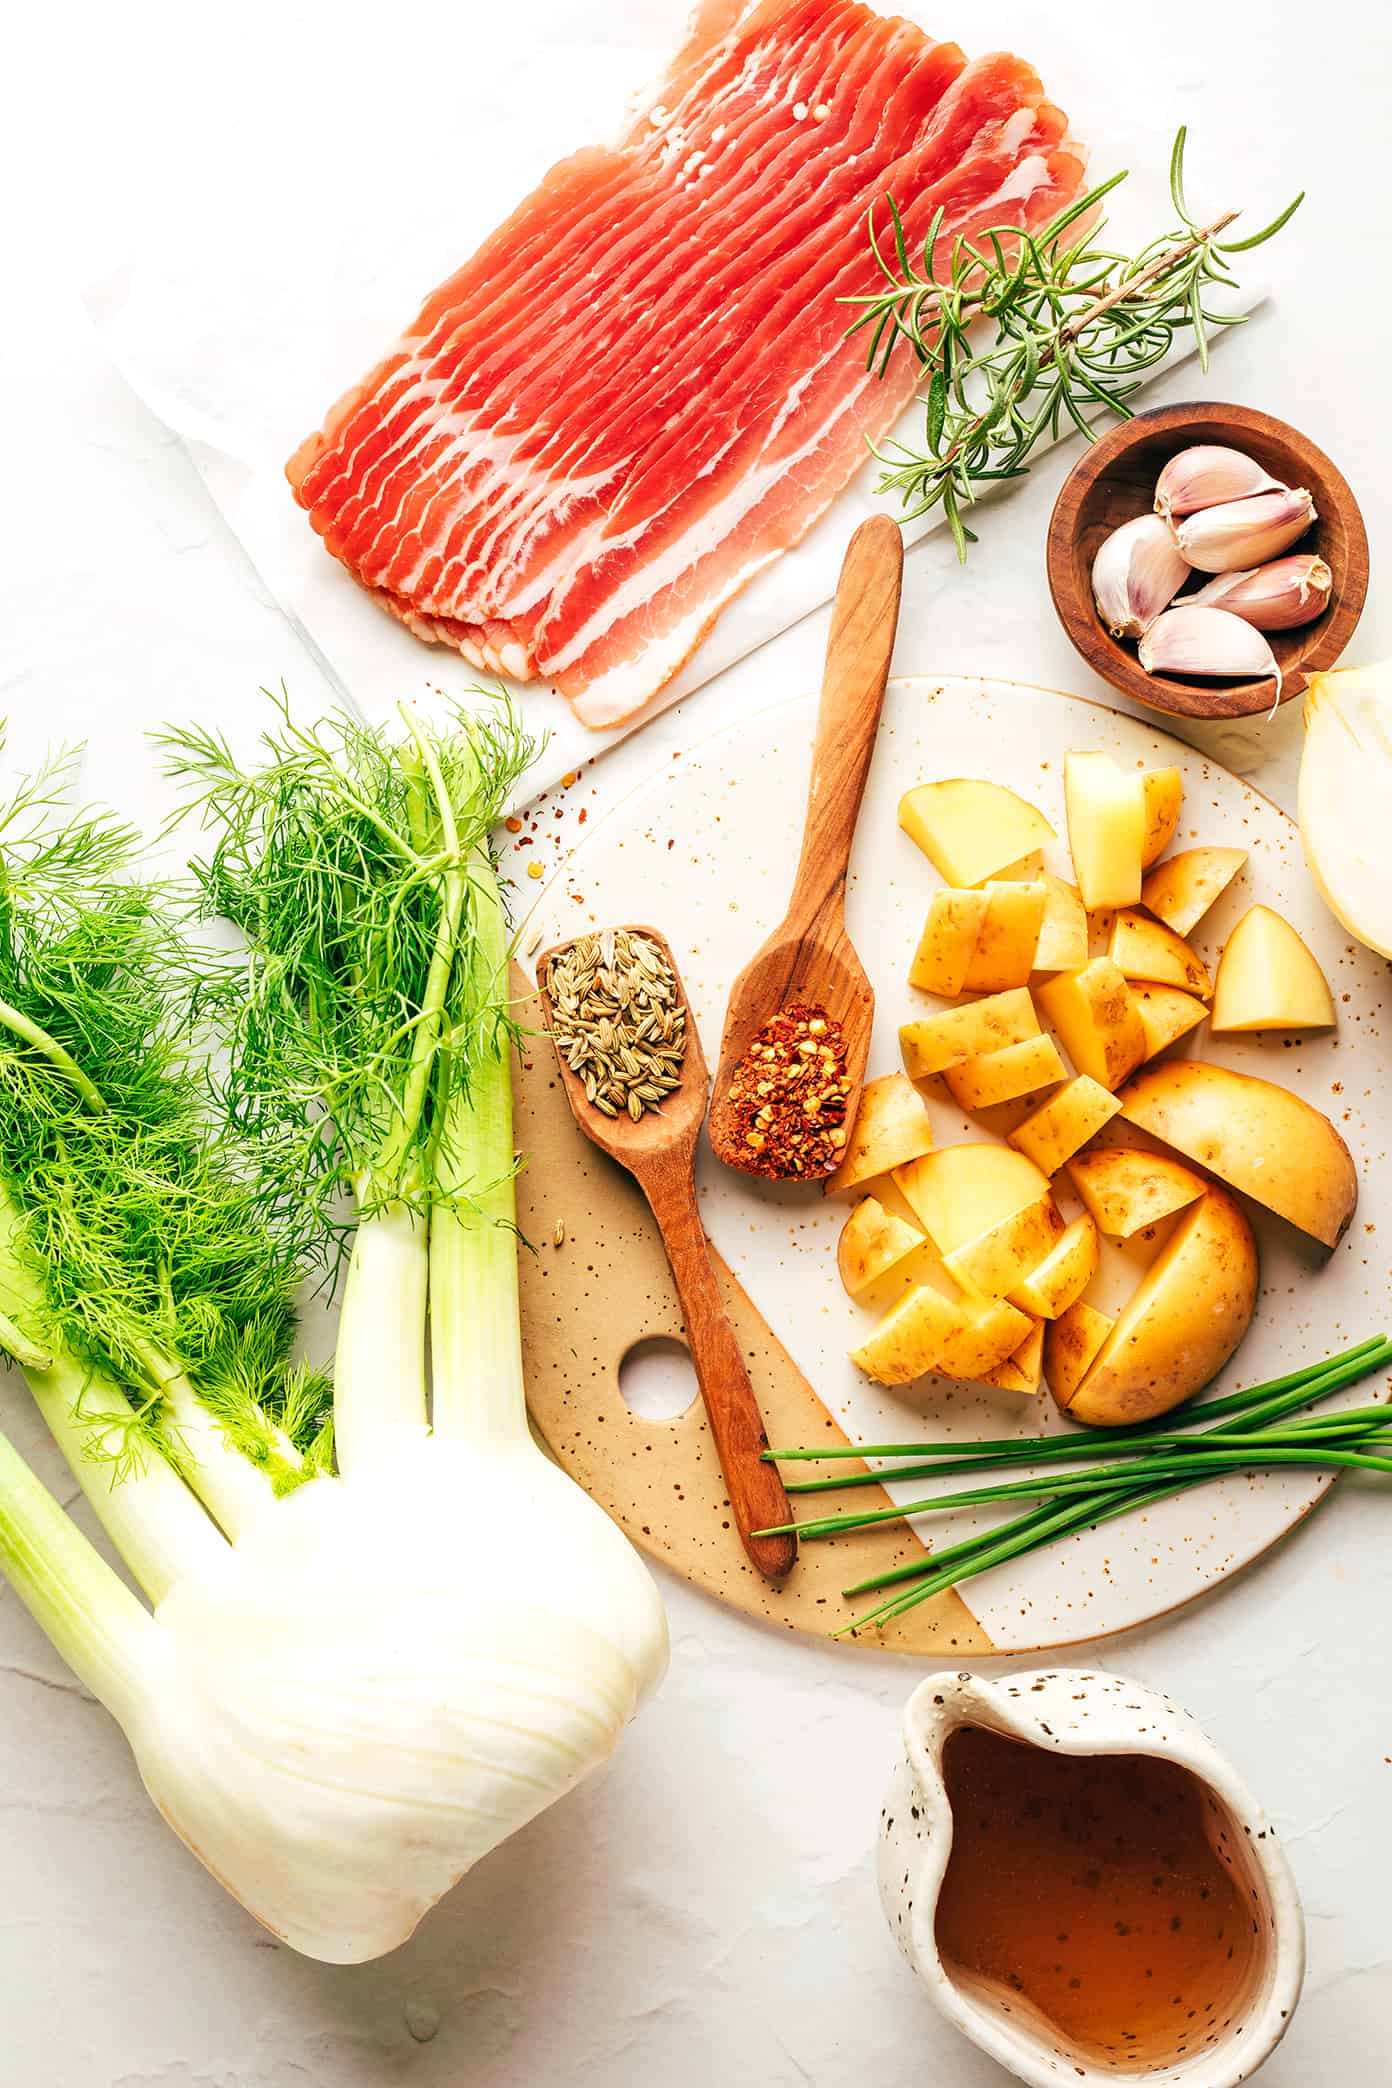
[(661, 1154)]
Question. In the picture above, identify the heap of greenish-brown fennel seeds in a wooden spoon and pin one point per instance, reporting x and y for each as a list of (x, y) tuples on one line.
[(619, 1020)]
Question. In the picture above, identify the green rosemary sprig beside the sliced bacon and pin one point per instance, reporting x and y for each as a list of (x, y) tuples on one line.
[(1078, 327)]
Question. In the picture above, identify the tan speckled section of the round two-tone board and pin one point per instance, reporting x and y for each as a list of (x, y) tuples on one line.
[(585, 1306)]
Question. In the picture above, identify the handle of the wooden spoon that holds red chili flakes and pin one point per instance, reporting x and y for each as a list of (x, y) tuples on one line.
[(859, 652)]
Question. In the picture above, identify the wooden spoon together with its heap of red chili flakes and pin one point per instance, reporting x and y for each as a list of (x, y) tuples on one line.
[(805, 999)]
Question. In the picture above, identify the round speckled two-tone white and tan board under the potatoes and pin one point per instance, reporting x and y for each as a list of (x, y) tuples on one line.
[(706, 853)]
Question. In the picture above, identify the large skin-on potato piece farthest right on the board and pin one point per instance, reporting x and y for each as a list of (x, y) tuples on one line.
[(1253, 1135)]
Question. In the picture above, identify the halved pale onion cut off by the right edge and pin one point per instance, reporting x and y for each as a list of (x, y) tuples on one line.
[(1345, 782)]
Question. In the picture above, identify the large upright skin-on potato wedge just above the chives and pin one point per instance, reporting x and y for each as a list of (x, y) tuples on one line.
[(1182, 1325)]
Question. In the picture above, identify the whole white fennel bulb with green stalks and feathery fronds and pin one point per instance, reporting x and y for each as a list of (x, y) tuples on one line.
[(383, 1634)]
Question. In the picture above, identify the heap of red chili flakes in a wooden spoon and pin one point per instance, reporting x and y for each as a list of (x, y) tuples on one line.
[(786, 1106)]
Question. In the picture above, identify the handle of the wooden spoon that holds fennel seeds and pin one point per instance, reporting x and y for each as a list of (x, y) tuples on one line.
[(757, 1492)]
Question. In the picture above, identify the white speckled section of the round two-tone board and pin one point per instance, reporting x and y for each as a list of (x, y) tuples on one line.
[(706, 851)]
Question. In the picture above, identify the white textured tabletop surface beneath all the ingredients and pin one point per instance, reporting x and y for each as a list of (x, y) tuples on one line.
[(704, 1912)]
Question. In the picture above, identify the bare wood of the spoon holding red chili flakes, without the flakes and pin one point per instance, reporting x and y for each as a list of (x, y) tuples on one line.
[(811, 957)]
